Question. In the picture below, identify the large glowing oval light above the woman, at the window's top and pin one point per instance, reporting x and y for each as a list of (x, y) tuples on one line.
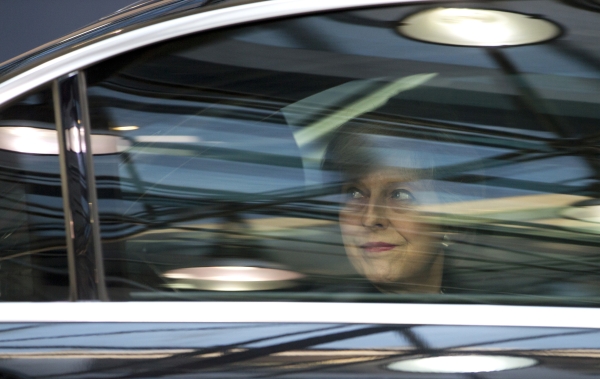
[(477, 27)]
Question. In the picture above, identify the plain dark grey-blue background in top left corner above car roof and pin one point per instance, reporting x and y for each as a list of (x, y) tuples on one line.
[(26, 24)]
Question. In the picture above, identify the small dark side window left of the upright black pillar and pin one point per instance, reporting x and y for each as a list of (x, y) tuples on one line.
[(33, 259)]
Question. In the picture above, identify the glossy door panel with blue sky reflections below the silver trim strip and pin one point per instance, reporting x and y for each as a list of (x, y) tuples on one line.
[(236, 350)]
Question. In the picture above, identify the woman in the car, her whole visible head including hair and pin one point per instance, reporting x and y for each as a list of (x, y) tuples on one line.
[(384, 178)]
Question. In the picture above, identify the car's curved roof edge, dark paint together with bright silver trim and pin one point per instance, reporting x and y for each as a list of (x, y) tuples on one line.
[(142, 27)]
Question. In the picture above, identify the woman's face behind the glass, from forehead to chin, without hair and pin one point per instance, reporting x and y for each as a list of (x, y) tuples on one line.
[(383, 239)]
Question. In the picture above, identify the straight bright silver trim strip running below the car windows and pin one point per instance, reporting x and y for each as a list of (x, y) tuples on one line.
[(297, 312)]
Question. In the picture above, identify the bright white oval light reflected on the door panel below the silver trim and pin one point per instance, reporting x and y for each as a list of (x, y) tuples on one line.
[(462, 364)]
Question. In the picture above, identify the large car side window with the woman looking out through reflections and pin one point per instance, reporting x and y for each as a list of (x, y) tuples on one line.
[(329, 157)]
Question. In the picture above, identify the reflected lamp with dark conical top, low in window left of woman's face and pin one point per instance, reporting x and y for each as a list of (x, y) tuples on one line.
[(236, 262)]
